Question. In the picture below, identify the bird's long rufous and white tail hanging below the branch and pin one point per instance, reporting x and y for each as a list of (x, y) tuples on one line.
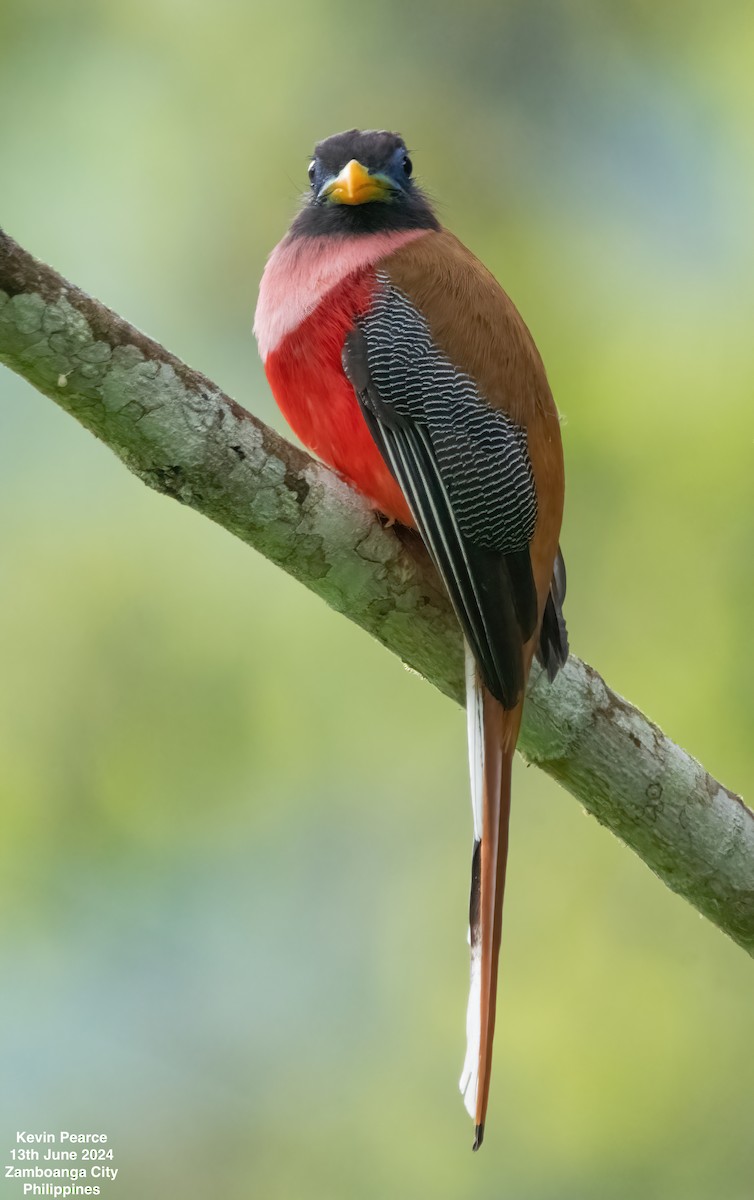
[(493, 734)]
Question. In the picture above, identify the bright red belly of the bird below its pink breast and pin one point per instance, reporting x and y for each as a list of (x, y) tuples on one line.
[(313, 393)]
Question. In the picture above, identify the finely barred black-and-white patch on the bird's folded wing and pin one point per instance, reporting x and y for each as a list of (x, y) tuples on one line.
[(482, 454)]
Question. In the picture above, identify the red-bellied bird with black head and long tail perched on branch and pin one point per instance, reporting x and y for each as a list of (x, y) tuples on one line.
[(400, 362)]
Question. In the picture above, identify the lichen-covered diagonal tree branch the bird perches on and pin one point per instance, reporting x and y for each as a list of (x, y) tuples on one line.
[(178, 433)]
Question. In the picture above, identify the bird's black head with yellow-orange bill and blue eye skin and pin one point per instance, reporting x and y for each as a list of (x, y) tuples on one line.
[(361, 182)]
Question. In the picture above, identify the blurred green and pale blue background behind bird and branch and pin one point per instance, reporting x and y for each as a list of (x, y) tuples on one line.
[(236, 833)]
